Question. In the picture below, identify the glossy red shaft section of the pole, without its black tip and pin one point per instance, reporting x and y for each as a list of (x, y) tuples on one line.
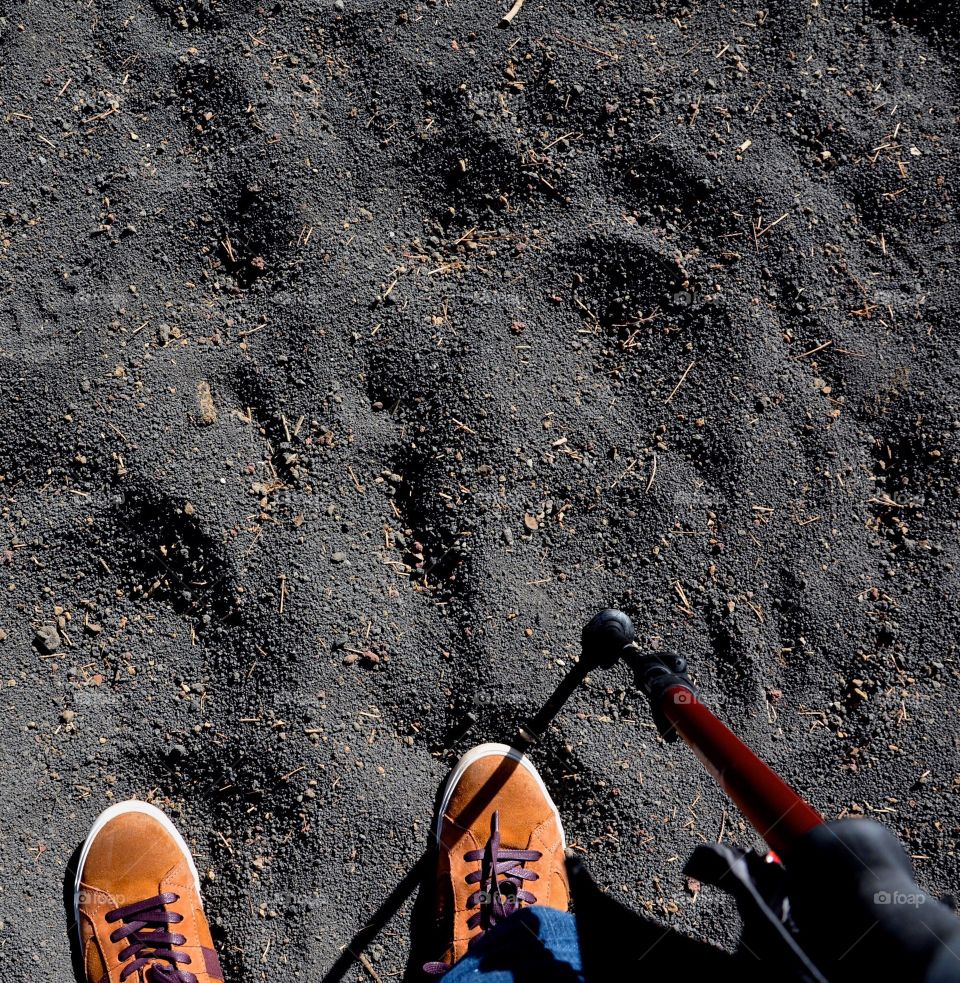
[(774, 809)]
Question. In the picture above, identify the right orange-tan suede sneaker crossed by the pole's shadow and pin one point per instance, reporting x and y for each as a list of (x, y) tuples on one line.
[(501, 847)]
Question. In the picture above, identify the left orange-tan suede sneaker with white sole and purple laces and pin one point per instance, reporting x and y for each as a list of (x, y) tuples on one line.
[(137, 902)]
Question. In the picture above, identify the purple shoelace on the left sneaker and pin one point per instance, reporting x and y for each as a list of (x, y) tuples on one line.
[(149, 943)]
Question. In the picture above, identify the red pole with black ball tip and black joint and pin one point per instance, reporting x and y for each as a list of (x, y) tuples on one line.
[(774, 809)]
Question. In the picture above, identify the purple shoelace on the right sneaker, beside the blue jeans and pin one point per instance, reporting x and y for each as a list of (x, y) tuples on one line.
[(501, 888)]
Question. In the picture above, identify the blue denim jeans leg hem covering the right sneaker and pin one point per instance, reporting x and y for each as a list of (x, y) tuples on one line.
[(535, 945)]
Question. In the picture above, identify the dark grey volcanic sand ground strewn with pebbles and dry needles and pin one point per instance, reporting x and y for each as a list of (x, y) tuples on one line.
[(352, 355)]
